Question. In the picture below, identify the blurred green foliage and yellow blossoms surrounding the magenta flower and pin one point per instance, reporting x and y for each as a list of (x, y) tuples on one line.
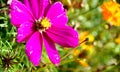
[(98, 25)]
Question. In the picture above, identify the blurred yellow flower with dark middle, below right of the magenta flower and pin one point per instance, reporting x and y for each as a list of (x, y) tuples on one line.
[(86, 49)]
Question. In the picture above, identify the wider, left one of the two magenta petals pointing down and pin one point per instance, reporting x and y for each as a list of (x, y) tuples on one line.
[(34, 48)]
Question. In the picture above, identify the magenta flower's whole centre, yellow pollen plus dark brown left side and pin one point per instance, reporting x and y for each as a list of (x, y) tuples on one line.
[(43, 24)]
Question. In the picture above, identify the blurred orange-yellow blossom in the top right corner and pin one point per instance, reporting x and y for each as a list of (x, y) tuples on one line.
[(111, 12)]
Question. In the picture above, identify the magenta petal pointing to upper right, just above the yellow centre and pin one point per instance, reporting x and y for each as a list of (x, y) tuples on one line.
[(57, 14)]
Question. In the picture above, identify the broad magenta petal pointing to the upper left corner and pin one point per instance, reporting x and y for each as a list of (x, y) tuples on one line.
[(19, 13)]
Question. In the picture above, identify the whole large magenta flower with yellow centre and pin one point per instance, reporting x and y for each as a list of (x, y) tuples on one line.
[(37, 22)]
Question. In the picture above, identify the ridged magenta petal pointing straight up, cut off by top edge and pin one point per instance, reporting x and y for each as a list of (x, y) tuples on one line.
[(37, 6)]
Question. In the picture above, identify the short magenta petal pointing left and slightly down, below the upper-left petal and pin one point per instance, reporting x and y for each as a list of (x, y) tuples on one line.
[(25, 31)]
